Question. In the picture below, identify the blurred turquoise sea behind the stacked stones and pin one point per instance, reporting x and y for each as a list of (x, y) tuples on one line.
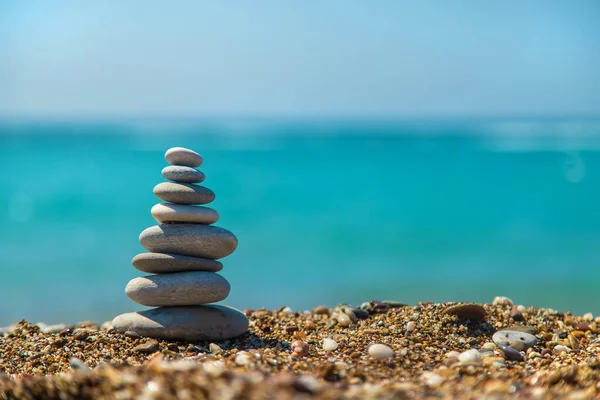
[(326, 211)]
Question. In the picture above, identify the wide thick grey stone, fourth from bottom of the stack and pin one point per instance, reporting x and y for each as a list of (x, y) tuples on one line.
[(205, 241)]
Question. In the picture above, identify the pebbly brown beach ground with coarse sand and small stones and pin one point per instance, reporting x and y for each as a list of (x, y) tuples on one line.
[(427, 350)]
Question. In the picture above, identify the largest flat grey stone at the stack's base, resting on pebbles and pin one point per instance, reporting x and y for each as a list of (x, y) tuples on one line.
[(192, 323)]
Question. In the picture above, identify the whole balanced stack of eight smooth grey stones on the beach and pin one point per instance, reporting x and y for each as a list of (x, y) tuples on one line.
[(183, 253)]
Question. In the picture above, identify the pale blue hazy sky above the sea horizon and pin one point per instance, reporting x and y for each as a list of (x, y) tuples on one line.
[(299, 58)]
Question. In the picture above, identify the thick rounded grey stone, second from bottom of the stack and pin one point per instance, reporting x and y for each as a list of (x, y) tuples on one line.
[(178, 289)]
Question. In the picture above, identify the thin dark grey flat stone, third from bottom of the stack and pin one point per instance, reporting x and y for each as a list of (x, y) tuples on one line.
[(160, 263)]
